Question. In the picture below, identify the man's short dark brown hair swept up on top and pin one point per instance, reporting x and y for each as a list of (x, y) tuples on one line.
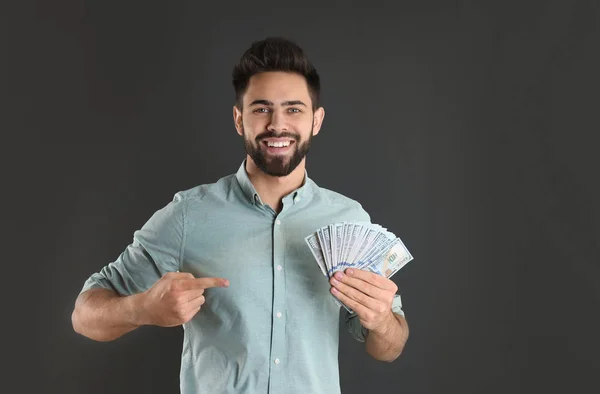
[(275, 54)]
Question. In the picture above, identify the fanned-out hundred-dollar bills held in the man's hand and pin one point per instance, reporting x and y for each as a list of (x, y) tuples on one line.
[(361, 245)]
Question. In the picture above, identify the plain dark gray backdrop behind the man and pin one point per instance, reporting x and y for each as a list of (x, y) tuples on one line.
[(468, 128)]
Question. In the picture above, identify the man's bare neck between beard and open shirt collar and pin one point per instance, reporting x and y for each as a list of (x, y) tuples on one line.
[(272, 189)]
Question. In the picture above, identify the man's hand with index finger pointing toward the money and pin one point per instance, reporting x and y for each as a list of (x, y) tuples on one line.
[(175, 298)]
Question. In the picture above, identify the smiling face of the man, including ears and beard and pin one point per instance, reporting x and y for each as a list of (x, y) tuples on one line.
[(277, 121)]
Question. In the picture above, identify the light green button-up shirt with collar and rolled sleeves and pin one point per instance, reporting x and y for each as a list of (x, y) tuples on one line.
[(275, 328)]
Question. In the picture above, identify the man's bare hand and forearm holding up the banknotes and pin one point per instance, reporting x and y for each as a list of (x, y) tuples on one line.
[(371, 296)]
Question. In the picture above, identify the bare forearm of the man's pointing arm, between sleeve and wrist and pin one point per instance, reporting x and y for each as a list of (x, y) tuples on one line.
[(103, 315)]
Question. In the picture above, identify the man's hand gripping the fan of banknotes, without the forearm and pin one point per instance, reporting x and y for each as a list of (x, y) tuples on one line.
[(366, 293)]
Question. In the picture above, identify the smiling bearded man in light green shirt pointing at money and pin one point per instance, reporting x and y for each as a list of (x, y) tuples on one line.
[(228, 260)]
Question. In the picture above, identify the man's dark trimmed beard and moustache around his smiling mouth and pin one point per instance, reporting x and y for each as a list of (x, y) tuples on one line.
[(277, 165)]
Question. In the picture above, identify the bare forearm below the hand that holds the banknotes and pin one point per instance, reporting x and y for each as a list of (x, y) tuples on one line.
[(387, 343)]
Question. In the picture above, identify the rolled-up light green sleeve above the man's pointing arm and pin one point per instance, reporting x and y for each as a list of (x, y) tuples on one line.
[(156, 250)]
